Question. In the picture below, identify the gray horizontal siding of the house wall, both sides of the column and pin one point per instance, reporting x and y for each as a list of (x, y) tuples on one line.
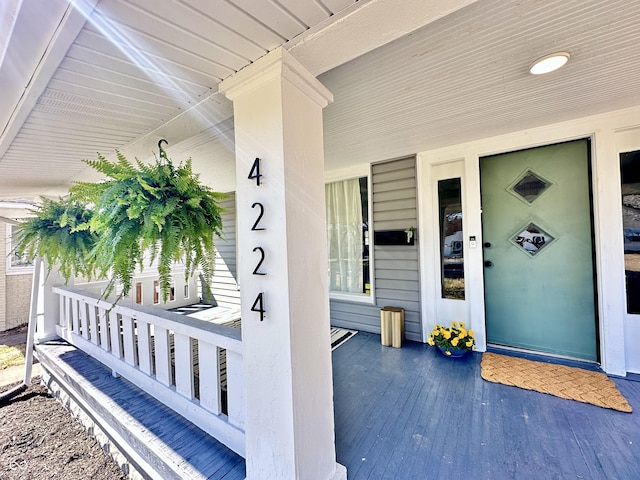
[(396, 267)]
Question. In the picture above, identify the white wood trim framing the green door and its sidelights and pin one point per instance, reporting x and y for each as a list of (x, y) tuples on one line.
[(610, 134)]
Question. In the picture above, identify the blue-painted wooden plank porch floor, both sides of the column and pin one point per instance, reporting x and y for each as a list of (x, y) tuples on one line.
[(406, 413)]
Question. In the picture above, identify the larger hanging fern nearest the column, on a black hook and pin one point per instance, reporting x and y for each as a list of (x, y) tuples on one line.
[(158, 208)]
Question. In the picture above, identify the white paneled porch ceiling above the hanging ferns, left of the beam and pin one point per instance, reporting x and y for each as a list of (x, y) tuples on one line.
[(91, 76)]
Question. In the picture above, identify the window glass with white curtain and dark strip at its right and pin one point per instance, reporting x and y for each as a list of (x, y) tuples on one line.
[(347, 206)]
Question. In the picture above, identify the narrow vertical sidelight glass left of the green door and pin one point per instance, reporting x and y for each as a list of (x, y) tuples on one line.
[(451, 238)]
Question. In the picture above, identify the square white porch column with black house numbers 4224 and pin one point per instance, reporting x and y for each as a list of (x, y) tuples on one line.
[(287, 355)]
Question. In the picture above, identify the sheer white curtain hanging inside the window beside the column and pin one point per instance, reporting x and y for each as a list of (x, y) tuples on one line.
[(344, 236)]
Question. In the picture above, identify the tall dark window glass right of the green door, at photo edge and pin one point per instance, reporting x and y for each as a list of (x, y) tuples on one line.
[(630, 175)]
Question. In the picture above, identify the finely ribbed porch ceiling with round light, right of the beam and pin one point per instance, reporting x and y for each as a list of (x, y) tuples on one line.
[(465, 77)]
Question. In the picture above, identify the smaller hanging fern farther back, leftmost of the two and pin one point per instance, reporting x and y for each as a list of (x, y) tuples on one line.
[(59, 234)]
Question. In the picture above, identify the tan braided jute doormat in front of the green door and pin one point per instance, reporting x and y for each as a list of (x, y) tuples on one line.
[(558, 380)]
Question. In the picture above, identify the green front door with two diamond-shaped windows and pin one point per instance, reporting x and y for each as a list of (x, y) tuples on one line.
[(538, 253)]
